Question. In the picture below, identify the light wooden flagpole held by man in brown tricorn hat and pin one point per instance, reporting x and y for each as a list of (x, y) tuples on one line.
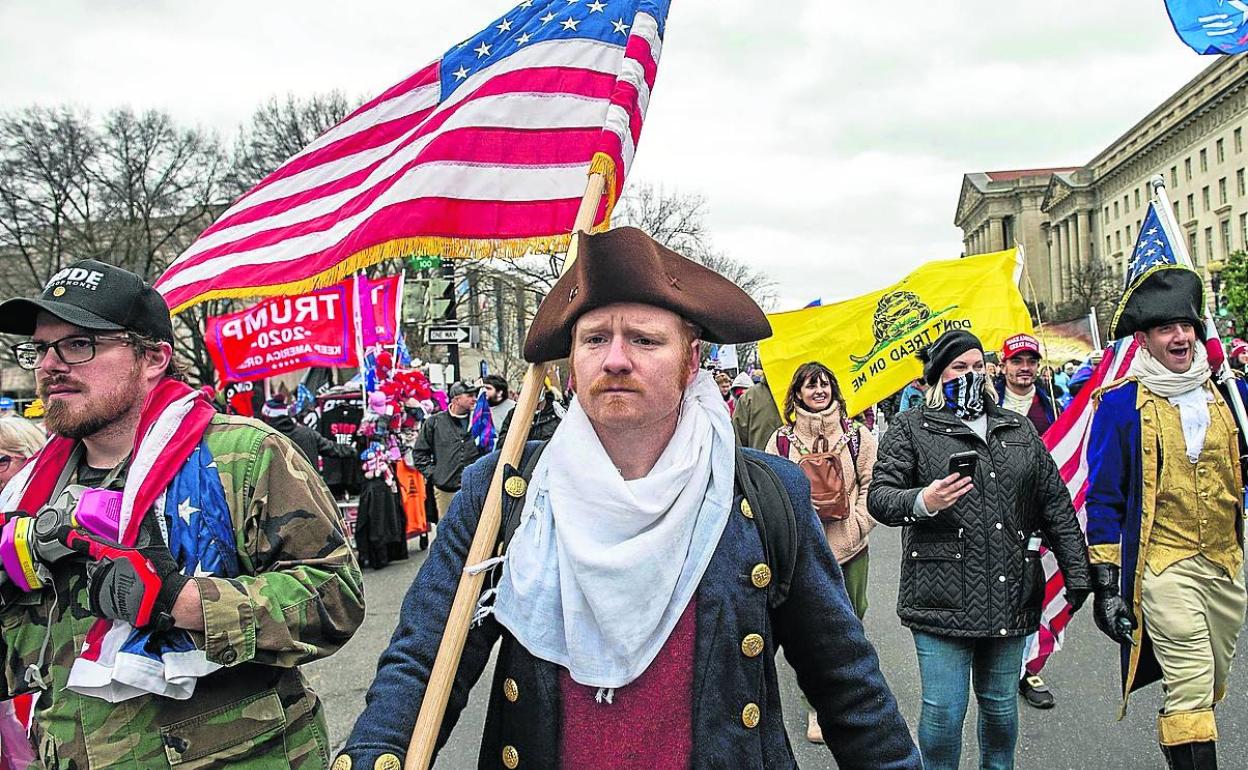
[(434, 707)]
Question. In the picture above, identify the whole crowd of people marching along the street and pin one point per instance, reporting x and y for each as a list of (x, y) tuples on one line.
[(675, 530)]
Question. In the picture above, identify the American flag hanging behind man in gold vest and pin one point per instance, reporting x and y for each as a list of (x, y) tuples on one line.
[(1068, 439)]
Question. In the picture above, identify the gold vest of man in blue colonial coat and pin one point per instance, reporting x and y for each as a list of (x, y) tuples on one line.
[(1197, 504)]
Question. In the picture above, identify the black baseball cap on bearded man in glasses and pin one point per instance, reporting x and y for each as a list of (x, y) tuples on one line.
[(95, 296)]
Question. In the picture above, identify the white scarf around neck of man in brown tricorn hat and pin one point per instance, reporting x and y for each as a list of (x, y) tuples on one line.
[(601, 570)]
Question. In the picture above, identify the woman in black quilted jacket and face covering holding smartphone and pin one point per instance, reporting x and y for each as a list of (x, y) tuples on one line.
[(975, 491)]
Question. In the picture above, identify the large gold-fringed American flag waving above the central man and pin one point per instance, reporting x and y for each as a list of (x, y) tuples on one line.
[(482, 154)]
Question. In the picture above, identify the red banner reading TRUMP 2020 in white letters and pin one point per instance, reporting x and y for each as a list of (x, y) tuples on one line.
[(284, 335)]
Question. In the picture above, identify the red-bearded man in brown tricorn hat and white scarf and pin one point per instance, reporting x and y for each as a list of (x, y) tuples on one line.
[(641, 603)]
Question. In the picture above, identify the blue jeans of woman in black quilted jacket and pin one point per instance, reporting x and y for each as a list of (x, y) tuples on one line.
[(947, 666)]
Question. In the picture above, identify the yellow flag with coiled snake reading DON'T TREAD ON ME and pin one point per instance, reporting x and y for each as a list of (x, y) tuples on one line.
[(870, 341)]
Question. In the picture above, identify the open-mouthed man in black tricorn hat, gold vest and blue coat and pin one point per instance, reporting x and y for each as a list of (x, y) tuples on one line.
[(1165, 530)]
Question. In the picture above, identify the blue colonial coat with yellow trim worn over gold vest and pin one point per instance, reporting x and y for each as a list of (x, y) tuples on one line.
[(1123, 452)]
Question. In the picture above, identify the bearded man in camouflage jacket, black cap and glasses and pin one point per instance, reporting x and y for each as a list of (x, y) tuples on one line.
[(298, 596)]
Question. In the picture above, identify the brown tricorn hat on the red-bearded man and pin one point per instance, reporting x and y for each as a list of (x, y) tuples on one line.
[(626, 265)]
